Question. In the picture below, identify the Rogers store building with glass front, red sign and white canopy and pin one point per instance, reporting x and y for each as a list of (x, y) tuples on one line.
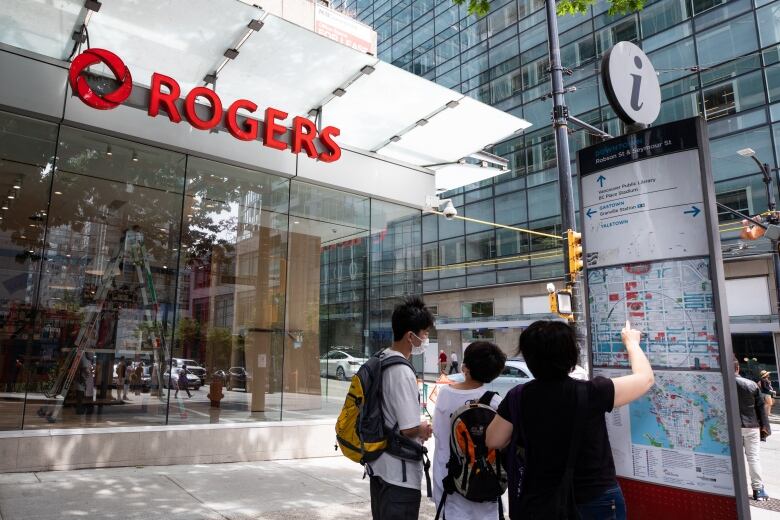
[(176, 286)]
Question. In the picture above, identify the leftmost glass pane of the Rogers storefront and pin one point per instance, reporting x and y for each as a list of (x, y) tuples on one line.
[(27, 149)]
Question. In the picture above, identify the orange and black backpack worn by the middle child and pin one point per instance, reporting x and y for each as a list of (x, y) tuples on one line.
[(473, 470)]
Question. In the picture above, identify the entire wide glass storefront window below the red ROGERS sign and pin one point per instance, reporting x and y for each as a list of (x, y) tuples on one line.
[(179, 290)]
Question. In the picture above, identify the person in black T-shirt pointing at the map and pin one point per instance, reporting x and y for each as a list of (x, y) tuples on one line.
[(559, 421)]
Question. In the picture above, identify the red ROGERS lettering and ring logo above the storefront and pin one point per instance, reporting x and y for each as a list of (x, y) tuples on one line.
[(304, 133)]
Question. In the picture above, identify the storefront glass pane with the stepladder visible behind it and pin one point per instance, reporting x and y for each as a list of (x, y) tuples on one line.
[(108, 282)]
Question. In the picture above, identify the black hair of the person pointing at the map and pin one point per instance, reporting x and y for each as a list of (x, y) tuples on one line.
[(549, 348)]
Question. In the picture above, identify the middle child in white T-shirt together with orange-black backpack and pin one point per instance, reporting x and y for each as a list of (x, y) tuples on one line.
[(468, 478)]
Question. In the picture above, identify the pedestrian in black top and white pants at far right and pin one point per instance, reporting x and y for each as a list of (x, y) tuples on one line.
[(755, 422)]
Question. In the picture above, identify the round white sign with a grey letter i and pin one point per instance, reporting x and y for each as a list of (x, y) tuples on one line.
[(631, 83)]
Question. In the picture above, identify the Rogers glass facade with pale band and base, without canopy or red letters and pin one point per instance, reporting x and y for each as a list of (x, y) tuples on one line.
[(129, 241)]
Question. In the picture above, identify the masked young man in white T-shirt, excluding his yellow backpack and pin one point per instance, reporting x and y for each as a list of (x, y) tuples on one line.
[(395, 482)]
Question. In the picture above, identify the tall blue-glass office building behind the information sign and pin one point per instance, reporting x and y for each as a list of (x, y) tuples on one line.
[(715, 58)]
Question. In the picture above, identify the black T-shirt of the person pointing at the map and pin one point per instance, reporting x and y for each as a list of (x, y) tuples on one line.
[(547, 412)]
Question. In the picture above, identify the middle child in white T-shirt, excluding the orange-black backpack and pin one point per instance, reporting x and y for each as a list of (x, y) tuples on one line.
[(482, 363)]
